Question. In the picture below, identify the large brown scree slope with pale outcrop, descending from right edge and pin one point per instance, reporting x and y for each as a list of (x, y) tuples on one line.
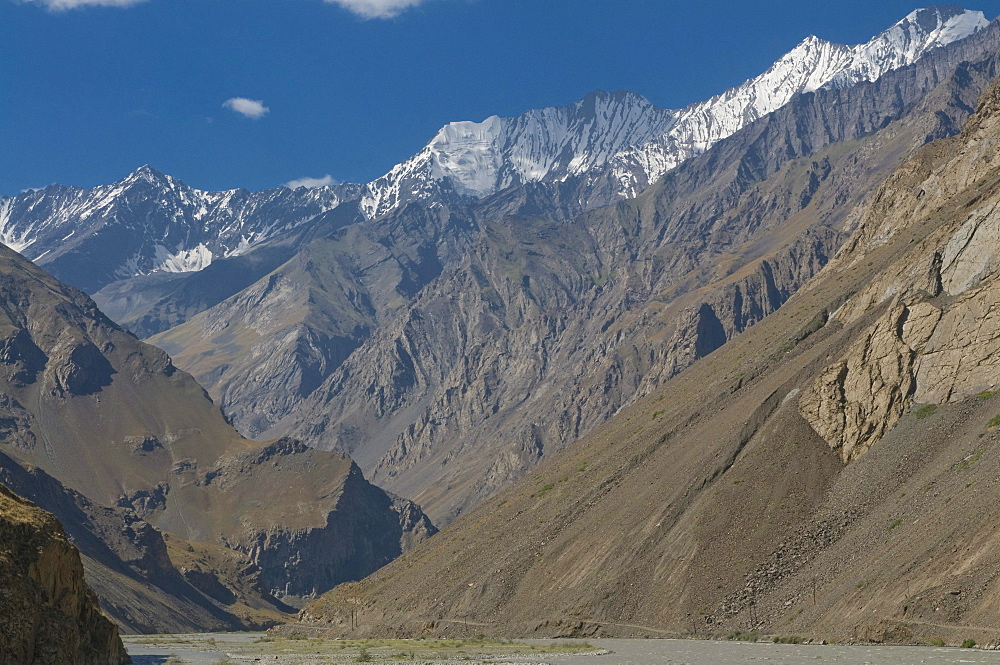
[(723, 501)]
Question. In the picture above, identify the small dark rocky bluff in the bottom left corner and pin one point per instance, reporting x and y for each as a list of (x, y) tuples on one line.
[(50, 617)]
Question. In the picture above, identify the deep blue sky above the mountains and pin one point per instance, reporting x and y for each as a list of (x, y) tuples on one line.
[(92, 92)]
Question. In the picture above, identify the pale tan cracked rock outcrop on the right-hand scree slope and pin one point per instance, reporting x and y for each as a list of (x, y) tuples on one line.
[(935, 339)]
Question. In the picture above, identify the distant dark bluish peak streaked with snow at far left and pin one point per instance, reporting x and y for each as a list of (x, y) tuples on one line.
[(150, 222)]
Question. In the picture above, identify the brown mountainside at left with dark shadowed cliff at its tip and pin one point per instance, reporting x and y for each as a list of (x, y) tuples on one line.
[(110, 417)]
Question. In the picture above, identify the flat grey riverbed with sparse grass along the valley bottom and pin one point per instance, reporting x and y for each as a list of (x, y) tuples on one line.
[(215, 649)]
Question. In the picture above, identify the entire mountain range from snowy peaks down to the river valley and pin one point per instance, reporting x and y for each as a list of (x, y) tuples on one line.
[(537, 321)]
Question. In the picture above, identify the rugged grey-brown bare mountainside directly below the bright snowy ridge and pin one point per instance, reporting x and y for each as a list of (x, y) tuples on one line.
[(454, 397)]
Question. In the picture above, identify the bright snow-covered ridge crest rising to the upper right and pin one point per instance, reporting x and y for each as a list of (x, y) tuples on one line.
[(638, 141)]
